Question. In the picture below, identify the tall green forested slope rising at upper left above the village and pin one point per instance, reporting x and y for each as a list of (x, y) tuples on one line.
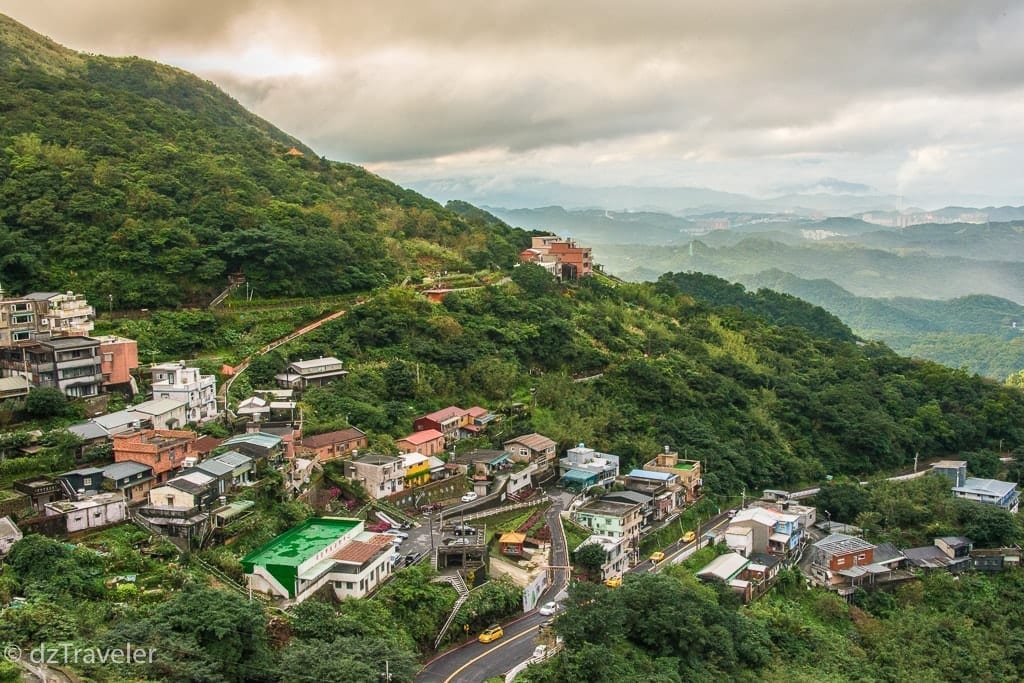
[(132, 180)]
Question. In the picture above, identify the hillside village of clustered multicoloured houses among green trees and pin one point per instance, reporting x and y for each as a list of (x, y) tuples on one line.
[(190, 489)]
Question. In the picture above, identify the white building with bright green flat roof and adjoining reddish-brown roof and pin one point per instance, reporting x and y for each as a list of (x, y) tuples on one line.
[(328, 551)]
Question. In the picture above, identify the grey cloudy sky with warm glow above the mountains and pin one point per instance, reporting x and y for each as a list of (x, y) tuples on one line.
[(922, 99)]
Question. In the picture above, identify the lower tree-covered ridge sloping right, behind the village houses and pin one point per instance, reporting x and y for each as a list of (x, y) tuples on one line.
[(763, 405)]
